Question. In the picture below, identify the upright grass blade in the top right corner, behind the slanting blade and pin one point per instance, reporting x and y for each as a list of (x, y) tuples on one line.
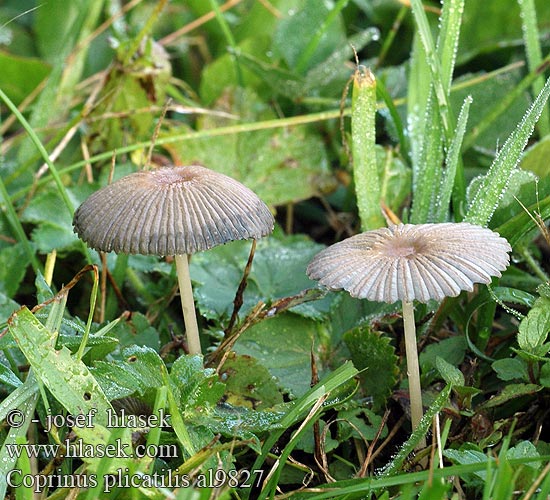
[(531, 37)]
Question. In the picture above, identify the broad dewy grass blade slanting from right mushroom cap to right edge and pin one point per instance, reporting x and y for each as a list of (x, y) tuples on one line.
[(494, 183)]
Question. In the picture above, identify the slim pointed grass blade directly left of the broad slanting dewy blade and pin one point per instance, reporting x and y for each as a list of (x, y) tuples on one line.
[(451, 163)]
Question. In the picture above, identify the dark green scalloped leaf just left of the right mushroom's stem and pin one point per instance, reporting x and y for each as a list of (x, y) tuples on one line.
[(374, 356)]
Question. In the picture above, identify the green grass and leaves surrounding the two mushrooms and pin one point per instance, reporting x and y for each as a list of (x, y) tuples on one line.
[(257, 91)]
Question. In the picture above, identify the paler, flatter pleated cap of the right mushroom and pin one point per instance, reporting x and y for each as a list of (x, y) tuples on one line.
[(412, 261)]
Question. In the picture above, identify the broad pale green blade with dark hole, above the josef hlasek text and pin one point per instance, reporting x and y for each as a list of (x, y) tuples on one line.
[(68, 379)]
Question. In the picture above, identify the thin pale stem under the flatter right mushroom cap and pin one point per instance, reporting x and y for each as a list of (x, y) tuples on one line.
[(413, 370)]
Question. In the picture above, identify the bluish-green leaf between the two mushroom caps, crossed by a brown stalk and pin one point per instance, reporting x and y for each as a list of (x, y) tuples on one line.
[(278, 271)]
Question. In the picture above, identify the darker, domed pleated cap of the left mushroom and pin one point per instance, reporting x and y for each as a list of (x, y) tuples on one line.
[(171, 211)]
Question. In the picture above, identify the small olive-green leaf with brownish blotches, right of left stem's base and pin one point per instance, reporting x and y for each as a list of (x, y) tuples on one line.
[(248, 383)]
